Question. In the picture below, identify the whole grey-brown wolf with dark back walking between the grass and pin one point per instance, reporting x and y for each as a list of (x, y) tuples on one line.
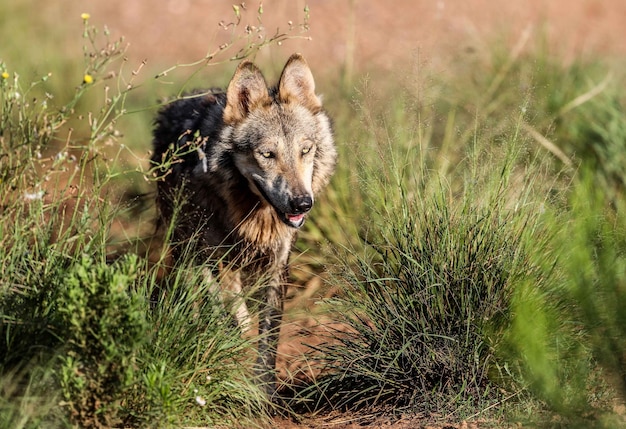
[(241, 169)]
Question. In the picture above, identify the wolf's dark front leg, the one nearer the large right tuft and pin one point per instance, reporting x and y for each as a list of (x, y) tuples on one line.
[(269, 328)]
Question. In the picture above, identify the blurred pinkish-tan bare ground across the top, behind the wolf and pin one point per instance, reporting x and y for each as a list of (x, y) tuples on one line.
[(345, 34)]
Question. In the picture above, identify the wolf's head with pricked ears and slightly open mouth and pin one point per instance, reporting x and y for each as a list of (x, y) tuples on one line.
[(280, 137)]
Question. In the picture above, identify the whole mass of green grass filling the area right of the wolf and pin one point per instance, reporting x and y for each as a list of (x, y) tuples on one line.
[(480, 269)]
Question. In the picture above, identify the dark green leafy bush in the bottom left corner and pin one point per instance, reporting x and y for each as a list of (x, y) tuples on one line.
[(71, 328)]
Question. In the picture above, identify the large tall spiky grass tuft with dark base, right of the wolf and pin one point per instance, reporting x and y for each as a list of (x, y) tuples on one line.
[(425, 298)]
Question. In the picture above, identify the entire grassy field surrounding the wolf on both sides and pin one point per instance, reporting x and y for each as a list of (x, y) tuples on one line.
[(473, 235)]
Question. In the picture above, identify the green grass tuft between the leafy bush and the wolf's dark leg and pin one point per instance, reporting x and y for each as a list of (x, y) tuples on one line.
[(197, 368)]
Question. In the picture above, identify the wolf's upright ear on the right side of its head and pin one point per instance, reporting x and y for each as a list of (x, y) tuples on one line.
[(296, 84)]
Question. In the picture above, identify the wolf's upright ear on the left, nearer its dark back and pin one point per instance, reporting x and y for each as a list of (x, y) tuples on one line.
[(246, 90)]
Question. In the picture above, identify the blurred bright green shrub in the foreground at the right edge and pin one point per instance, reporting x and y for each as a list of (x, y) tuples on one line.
[(569, 334)]
